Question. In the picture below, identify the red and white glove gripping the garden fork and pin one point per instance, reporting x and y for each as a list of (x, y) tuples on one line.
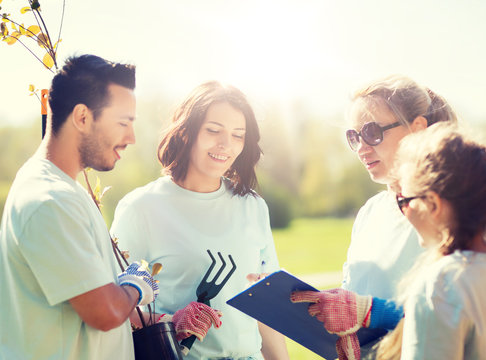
[(195, 319)]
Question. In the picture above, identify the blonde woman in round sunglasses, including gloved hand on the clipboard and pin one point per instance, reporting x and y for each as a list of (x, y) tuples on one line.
[(384, 245)]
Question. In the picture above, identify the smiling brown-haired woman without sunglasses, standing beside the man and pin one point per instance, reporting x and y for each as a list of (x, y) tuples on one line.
[(206, 202)]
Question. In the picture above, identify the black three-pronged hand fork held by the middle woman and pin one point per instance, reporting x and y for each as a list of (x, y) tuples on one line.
[(207, 290)]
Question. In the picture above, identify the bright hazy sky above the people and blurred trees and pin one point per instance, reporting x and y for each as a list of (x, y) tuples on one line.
[(315, 52)]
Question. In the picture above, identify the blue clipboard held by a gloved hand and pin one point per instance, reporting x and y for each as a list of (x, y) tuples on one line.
[(268, 301)]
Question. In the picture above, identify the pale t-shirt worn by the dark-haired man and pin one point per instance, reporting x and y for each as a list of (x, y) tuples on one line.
[(54, 245)]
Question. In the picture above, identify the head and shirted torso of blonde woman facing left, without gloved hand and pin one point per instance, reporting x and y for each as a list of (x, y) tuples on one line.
[(383, 244)]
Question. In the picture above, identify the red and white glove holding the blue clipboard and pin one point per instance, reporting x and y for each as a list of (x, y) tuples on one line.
[(343, 313)]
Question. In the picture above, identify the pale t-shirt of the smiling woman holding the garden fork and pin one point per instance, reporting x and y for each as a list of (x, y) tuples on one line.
[(162, 222)]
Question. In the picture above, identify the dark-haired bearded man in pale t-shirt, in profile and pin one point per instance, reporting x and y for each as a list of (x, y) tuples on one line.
[(61, 297)]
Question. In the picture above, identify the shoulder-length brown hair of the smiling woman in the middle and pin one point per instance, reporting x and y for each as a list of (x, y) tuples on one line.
[(175, 148)]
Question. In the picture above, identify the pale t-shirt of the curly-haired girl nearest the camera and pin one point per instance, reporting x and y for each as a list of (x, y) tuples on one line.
[(446, 313)]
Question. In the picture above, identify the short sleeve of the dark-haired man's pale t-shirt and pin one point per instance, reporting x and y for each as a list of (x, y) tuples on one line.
[(59, 245)]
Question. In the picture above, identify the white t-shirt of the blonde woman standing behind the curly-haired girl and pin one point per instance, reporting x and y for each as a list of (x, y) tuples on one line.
[(384, 246)]
